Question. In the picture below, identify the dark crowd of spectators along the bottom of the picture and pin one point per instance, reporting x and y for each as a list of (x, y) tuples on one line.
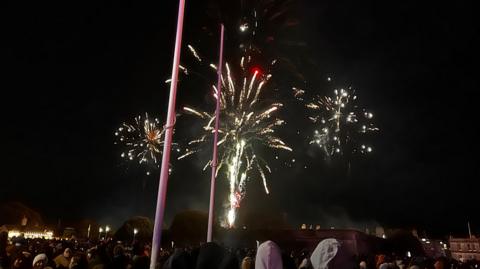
[(109, 254)]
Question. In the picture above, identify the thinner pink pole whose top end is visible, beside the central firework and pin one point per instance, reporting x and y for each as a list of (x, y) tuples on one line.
[(215, 139)]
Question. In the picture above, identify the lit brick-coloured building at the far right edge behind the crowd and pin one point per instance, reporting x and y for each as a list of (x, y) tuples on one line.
[(465, 248)]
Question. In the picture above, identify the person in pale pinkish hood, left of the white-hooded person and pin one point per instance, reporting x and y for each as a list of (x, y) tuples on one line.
[(268, 256)]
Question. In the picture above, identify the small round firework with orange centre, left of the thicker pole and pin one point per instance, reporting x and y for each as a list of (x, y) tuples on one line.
[(142, 141)]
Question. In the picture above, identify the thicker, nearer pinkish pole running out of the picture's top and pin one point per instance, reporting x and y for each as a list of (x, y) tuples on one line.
[(162, 186)]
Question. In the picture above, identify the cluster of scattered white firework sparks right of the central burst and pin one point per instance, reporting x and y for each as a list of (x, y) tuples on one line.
[(340, 123)]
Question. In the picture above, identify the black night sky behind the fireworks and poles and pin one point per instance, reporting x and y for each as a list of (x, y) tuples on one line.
[(76, 70)]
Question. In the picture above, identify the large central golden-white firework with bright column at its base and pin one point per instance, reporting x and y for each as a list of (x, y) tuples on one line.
[(247, 123)]
